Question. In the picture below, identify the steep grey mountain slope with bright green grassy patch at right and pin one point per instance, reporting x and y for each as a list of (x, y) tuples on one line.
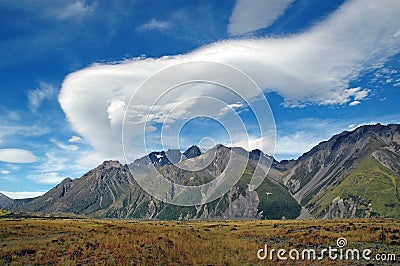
[(353, 174)]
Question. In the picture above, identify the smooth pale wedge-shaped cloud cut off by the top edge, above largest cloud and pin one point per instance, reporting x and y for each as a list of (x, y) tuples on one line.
[(252, 15)]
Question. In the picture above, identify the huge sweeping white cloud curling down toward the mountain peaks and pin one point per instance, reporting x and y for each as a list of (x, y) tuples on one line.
[(314, 67)]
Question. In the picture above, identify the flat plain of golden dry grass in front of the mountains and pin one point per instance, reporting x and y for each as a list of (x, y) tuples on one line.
[(47, 241)]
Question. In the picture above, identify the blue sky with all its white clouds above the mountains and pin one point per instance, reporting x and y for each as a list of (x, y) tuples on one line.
[(68, 69)]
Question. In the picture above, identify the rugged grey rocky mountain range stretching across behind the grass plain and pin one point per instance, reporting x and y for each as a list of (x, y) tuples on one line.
[(353, 174)]
